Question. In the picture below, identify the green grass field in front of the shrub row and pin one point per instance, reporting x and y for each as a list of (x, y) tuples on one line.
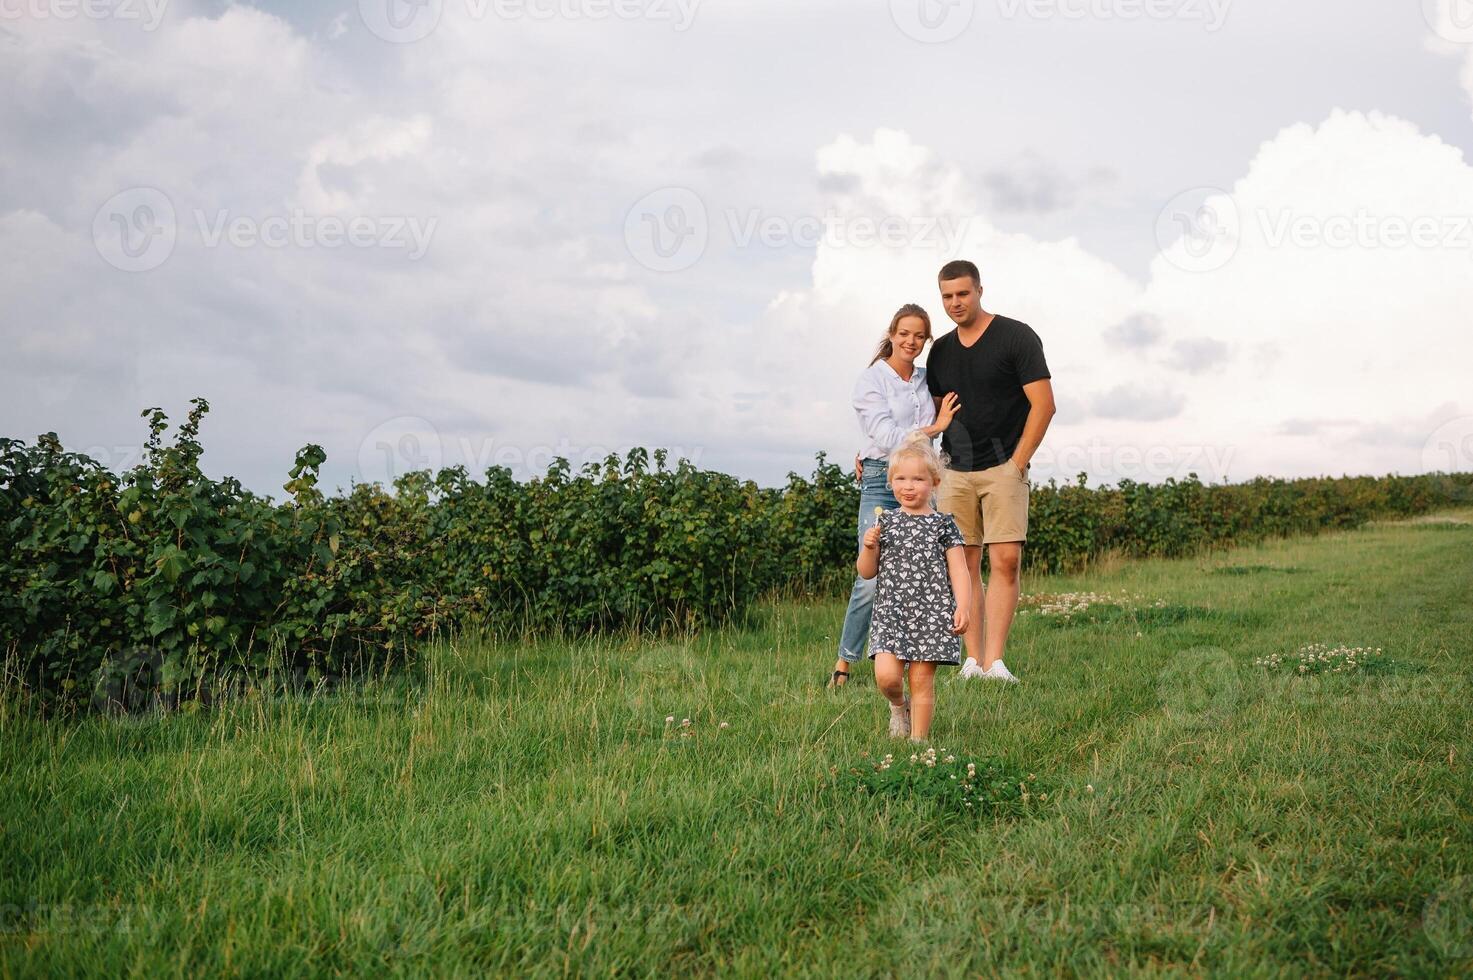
[(531, 813)]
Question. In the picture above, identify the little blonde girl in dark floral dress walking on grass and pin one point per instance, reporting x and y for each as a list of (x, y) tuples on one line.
[(921, 599)]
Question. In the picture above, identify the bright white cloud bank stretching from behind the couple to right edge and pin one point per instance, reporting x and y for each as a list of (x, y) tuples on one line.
[(1294, 326)]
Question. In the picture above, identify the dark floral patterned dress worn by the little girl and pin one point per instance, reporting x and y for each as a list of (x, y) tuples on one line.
[(914, 602)]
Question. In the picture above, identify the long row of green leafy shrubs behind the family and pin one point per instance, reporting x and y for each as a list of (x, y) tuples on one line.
[(163, 578)]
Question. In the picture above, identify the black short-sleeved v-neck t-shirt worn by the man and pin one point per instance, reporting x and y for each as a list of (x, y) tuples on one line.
[(988, 378)]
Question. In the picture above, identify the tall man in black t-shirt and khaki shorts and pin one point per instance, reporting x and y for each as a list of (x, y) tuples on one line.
[(996, 368)]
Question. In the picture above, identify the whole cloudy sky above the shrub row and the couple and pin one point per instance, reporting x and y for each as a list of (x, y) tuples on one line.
[(488, 232)]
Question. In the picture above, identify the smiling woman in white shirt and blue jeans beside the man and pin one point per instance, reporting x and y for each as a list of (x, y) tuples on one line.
[(892, 402)]
